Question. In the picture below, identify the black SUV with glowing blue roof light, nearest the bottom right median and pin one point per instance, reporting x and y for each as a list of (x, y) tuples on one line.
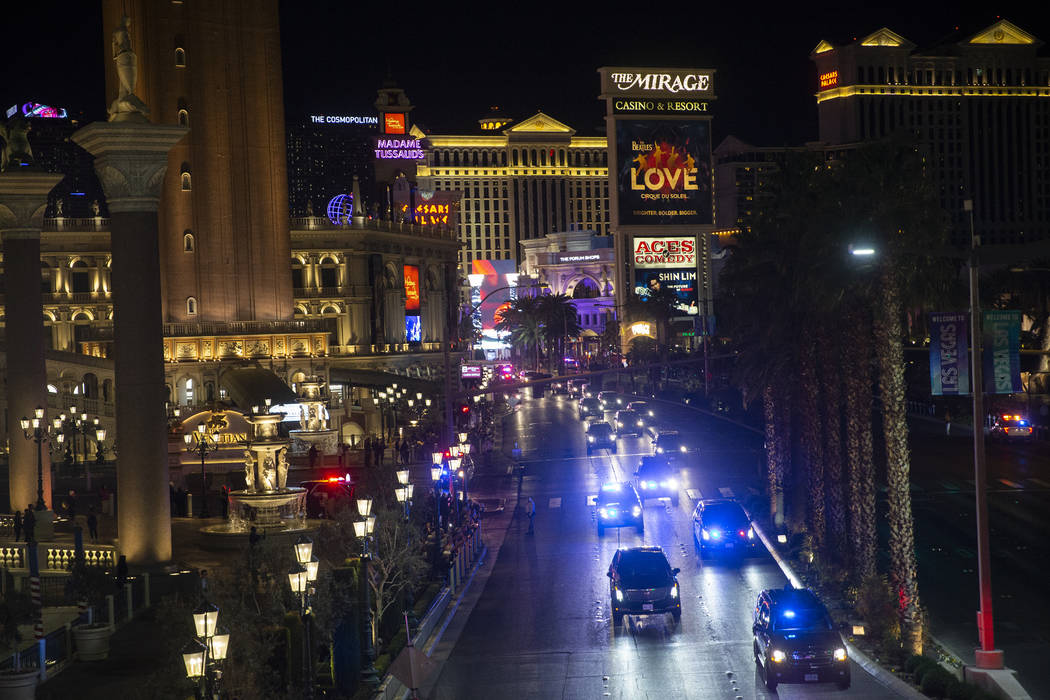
[(795, 642)]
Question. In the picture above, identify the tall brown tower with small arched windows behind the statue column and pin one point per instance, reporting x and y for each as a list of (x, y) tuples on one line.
[(216, 68)]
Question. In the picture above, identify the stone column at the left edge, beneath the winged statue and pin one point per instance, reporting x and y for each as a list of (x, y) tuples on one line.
[(24, 197)]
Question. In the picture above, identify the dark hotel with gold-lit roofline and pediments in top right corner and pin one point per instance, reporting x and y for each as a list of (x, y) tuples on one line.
[(978, 105)]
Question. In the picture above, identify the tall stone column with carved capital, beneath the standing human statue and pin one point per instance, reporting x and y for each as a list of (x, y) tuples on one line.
[(131, 160)]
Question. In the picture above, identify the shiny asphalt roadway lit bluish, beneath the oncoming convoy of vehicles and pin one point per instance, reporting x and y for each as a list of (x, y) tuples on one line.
[(542, 627)]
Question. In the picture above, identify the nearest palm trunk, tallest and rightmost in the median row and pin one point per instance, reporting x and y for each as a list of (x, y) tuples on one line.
[(902, 555)]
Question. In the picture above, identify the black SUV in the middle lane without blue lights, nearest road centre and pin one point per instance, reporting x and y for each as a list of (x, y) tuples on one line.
[(643, 583)]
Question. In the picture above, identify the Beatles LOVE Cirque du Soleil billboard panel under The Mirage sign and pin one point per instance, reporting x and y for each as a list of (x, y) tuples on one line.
[(664, 173)]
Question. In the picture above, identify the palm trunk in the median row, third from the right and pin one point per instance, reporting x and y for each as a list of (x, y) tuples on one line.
[(833, 446)]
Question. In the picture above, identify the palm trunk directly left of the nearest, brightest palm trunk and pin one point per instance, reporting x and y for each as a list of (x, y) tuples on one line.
[(859, 461)]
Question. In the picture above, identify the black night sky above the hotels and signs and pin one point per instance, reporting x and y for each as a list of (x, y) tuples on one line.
[(521, 57)]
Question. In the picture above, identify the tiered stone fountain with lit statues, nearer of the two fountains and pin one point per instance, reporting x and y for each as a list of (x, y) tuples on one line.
[(267, 503)]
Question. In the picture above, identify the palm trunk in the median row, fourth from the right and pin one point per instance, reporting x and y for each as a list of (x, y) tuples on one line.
[(811, 441)]
